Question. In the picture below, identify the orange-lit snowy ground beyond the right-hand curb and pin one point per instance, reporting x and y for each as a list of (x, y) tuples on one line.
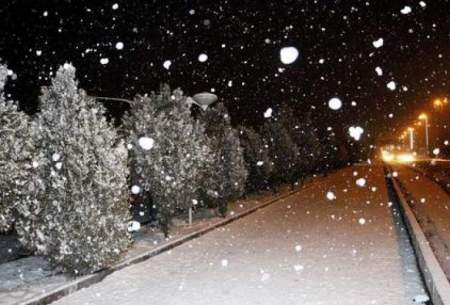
[(431, 205)]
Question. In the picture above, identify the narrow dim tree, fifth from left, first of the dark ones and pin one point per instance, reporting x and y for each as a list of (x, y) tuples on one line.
[(257, 160)]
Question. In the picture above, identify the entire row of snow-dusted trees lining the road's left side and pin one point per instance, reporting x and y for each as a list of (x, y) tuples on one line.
[(67, 174)]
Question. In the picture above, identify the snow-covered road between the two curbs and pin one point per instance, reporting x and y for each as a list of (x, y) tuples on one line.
[(305, 249)]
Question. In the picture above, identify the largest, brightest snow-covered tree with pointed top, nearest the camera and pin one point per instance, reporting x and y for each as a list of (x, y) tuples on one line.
[(79, 219)]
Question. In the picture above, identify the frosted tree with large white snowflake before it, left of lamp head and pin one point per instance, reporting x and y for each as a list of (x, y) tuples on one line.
[(172, 155)]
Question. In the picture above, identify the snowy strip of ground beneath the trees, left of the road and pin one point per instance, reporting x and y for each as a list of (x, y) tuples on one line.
[(31, 278)]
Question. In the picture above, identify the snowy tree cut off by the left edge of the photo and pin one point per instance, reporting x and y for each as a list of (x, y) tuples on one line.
[(16, 151)]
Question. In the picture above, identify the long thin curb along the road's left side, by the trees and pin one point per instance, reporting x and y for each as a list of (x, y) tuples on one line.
[(86, 281)]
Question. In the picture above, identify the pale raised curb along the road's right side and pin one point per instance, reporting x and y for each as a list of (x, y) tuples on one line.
[(435, 280)]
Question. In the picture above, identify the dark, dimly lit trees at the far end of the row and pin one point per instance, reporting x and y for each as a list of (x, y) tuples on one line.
[(287, 148)]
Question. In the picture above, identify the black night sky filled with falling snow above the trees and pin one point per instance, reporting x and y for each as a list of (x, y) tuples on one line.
[(242, 40)]
